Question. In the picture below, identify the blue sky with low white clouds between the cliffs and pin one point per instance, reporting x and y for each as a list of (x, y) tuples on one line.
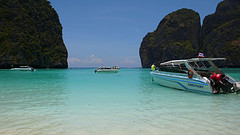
[(110, 32)]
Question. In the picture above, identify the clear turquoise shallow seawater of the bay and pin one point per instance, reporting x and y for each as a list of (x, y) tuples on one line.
[(80, 102)]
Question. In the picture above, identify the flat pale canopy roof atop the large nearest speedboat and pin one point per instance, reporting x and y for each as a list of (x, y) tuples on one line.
[(178, 62)]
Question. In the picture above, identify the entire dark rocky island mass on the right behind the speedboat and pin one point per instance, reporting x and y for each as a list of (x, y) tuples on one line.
[(180, 35)]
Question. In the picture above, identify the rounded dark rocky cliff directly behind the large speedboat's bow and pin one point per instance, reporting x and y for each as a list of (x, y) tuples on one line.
[(176, 37)]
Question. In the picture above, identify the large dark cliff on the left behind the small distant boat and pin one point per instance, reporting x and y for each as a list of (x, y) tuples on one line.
[(30, 34)]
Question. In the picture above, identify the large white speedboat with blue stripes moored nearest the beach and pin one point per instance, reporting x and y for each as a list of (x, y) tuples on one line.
[(194, 75)]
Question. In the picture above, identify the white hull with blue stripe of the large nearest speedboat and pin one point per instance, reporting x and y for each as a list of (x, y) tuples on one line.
[(181, 82)]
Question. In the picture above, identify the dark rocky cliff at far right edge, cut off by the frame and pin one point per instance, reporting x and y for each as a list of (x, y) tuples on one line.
[(220, 34)]
